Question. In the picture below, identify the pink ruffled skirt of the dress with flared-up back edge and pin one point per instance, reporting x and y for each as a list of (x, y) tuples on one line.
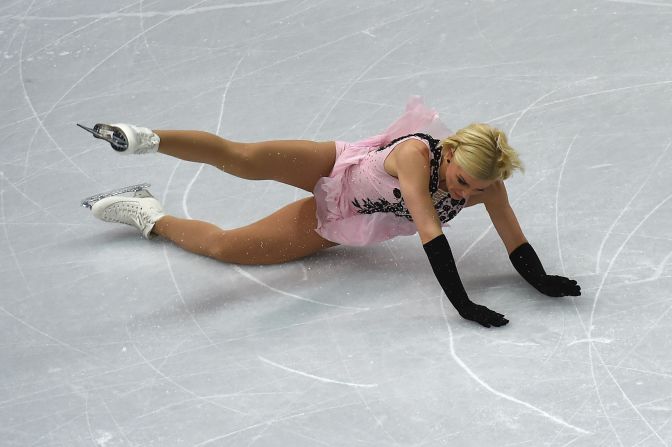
[(337, 220)]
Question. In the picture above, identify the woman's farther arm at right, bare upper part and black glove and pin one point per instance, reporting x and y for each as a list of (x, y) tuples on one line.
[(522, 255)]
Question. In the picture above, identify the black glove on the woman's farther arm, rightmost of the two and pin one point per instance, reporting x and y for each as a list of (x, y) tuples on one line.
[(527, 263)]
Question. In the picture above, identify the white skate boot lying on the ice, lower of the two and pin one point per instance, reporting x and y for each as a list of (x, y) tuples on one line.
[(141, 211)]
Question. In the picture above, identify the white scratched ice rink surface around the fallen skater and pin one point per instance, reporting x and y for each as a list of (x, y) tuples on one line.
[(107, 339)]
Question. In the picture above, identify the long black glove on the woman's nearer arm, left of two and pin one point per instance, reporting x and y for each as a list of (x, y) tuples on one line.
[(441, 258)]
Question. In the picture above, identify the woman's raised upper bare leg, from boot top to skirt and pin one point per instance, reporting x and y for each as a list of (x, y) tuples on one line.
[(299, 163)]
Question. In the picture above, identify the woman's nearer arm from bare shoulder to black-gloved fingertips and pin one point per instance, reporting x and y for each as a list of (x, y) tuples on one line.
[(412, 167)]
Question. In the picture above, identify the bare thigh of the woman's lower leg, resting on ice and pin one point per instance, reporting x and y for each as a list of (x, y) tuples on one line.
[(285, 235)]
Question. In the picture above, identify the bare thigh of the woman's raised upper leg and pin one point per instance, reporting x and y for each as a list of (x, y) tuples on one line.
[(299, 163)]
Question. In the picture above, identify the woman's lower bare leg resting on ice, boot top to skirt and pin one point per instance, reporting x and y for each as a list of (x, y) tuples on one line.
[(283, 236)]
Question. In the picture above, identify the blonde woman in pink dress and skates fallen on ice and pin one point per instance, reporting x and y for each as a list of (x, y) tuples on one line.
[(398, 183)]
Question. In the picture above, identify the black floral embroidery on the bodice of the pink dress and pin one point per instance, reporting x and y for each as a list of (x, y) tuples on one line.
[(446, 207)]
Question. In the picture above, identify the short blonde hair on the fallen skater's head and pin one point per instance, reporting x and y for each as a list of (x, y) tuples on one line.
[(483, 152)]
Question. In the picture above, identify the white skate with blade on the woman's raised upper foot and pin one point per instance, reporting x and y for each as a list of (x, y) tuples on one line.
[(126, 138)]
